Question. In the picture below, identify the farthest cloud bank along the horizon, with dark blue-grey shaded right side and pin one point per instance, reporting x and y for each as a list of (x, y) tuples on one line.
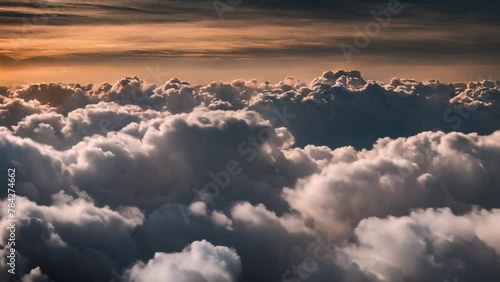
[(345, 108)]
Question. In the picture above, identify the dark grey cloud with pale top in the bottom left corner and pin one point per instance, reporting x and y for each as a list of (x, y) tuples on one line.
[(72, 234)]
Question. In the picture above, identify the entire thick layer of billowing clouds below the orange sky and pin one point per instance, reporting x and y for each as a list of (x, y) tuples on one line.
[(118, 178)]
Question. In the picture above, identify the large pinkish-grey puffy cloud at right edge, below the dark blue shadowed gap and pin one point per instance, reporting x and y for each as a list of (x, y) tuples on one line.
[(431, 169)]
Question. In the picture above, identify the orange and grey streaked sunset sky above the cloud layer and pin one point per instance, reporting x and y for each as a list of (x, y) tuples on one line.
[(97, 41)]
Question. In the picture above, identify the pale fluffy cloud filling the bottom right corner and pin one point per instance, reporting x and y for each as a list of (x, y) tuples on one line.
[(431, 245)]
